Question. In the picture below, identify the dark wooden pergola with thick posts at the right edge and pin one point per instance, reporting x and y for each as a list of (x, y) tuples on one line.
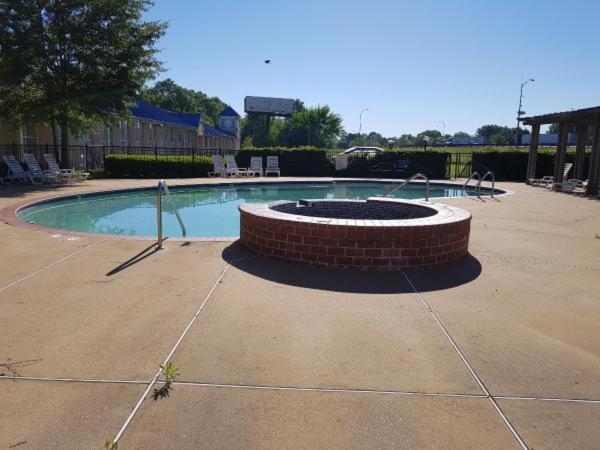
[(582, 119)]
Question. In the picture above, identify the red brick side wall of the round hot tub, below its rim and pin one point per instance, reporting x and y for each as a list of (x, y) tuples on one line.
[(387, 247)]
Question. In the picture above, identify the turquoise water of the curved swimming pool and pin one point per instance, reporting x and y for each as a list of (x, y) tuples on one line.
[(207, 211)]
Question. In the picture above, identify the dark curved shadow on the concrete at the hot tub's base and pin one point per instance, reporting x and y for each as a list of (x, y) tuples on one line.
[(352, 281)]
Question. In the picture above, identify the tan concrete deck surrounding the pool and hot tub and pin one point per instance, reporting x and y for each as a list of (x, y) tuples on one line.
[(286, 355)]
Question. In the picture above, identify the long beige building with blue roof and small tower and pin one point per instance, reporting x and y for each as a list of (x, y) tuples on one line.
[(150, 126)]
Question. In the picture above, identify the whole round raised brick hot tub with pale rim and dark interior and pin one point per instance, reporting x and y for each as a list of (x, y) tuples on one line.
[(382, 233)]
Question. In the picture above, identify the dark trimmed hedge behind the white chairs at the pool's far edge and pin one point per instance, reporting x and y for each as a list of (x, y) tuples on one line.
[(293, 162)]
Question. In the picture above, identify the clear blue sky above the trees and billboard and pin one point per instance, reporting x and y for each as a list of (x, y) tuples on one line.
[(412, 63)]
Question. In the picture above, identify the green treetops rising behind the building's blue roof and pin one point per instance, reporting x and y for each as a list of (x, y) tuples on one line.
[(169, 95)]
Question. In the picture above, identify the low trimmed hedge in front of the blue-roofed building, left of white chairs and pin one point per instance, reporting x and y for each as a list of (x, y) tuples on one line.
[(143, 166)]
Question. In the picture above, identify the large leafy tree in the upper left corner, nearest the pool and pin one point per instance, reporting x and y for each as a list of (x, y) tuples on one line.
[(67, 64)]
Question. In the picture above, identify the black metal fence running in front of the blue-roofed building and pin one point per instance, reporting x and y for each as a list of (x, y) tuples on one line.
[(88, 157)]
